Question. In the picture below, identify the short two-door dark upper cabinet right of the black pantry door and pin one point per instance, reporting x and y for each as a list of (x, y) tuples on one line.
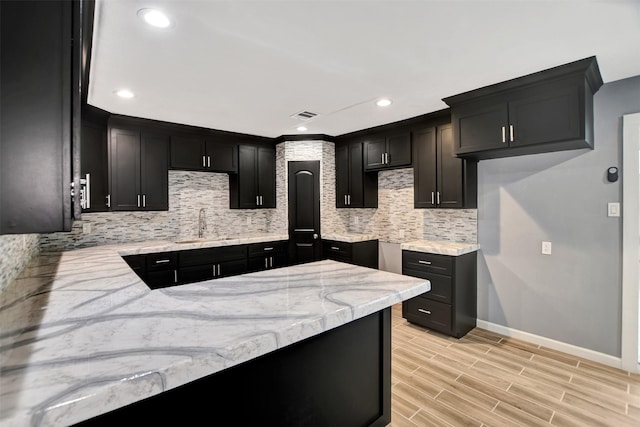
[(387, 152)]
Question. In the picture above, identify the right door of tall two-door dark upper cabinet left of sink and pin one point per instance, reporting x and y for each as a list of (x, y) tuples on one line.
[(154, 179)]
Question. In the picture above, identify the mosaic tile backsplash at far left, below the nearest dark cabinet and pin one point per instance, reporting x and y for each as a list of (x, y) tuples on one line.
[(16, 250)]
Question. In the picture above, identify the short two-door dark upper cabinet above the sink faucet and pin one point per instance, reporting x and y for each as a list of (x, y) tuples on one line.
[(199, 153)]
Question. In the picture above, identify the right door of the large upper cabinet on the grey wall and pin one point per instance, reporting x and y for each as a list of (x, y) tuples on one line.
[(546, 115)]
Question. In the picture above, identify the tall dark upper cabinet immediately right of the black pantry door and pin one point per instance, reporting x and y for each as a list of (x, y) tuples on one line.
[(354, 187)]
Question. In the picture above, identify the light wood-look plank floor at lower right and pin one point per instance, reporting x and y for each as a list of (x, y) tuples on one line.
[(486, 379)]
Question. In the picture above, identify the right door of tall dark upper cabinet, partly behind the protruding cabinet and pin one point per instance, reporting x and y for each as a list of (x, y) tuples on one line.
[(450, 171)]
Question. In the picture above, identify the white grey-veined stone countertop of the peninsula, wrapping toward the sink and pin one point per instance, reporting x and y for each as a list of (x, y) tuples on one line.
[(81, 334)]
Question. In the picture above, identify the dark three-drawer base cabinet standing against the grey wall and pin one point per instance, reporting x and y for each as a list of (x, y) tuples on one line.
[(451, 305)]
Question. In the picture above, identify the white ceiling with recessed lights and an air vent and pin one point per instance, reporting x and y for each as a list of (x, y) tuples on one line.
[(247, 66)]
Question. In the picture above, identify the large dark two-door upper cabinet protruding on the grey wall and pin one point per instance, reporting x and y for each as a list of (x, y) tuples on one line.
[(547, 111)]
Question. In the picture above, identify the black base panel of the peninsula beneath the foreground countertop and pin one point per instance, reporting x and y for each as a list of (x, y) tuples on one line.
[(339, 378)]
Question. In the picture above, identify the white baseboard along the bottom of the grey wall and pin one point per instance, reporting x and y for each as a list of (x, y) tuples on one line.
[(574, 350)]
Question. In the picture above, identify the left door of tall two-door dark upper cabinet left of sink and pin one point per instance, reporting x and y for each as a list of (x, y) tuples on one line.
[(124, 167)]
